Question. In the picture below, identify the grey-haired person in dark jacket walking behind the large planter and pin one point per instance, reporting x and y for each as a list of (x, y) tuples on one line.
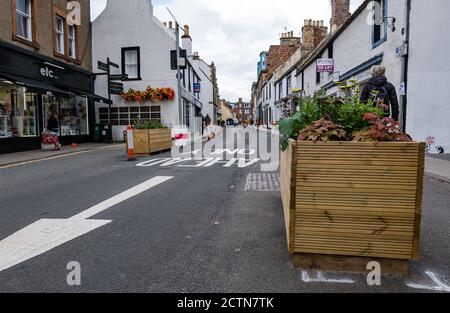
[(379, 90)]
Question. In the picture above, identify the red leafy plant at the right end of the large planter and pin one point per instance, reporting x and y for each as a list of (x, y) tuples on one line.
[(380, 129)]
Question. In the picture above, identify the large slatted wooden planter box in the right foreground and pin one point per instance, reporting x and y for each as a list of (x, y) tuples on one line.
[(360, 200)]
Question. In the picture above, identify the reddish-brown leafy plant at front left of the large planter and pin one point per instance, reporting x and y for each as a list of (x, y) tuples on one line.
[(324, 131)]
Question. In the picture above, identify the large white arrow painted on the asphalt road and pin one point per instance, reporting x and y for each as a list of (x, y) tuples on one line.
[(47, 234)]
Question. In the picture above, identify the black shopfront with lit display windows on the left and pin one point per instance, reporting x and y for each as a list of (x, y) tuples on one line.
[(40, 94)]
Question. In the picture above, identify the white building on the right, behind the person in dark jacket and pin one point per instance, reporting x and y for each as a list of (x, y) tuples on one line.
[(414, 50)]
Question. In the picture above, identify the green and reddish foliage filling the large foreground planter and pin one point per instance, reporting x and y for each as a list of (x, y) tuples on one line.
[(350, 120)]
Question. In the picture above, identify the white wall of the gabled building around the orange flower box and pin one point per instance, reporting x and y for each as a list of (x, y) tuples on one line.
[(130, 23)]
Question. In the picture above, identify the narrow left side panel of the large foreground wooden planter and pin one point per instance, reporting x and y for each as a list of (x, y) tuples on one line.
[(287, 186)]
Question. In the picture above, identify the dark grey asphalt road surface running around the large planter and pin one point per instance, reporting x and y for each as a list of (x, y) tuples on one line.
[(198, 232)]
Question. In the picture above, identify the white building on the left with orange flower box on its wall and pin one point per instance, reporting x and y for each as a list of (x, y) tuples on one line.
[(130, 35)]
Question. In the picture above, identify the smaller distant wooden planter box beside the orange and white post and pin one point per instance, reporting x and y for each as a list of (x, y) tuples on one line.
[(149, 141)]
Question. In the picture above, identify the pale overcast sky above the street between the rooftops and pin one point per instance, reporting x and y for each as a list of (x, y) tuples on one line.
[(232, 33)]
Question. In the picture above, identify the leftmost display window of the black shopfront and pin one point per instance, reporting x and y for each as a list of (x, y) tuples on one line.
[(18, 112)]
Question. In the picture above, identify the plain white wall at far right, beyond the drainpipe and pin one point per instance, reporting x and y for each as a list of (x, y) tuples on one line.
[(428, 113)]
